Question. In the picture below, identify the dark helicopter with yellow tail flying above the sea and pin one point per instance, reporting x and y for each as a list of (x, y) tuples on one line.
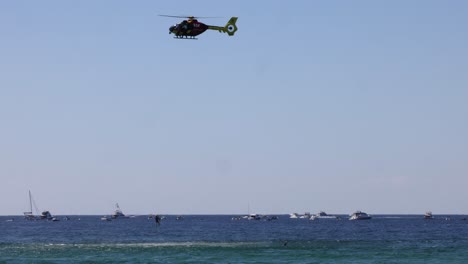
[(190, 28)]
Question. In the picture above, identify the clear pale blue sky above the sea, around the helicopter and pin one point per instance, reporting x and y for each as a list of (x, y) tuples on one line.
[(312, 105)]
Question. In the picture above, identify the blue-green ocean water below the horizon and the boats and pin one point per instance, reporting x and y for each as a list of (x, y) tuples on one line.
[(218, 239)]
